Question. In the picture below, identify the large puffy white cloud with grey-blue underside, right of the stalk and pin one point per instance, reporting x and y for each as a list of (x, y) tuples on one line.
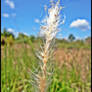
[(81, 24)]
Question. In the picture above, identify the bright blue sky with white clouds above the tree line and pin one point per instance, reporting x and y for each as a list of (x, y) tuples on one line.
[(24, 15)]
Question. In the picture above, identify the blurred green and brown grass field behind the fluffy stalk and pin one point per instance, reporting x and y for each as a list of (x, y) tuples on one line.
[(72, 70)]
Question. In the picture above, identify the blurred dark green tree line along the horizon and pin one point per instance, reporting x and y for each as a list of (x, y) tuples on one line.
[(8, 37)]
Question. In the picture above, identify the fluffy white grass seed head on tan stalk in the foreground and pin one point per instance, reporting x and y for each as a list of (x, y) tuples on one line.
[(49, 28)]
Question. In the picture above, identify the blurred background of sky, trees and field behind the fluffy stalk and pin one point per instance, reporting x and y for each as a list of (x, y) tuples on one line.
[(20, 26)]
